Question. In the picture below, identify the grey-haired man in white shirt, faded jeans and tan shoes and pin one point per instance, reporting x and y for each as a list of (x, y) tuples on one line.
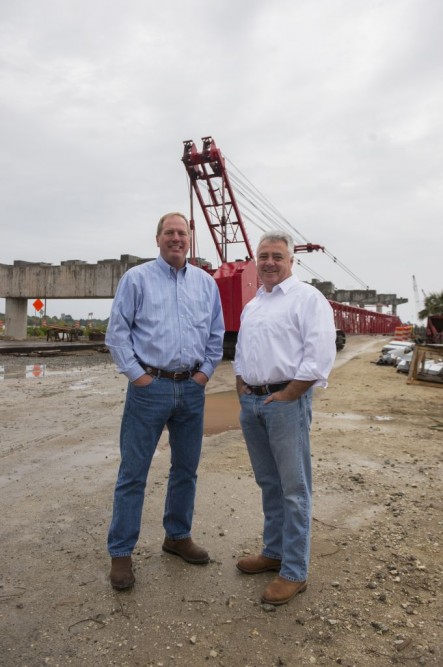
[(285, 348)]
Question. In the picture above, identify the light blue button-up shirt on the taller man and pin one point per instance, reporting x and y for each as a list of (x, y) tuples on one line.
[(167, 319)]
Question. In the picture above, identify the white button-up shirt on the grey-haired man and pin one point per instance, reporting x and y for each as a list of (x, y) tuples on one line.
[(286, 334)]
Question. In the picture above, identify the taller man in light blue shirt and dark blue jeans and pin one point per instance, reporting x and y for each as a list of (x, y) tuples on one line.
[(165, 334)]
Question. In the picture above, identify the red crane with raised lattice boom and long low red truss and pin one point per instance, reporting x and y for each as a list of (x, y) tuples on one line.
[(238, 280)]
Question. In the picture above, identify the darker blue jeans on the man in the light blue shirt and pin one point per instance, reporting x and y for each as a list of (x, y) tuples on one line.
[(179, 406)]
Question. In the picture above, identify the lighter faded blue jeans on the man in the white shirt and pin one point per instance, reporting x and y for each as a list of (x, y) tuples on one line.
[(277, 438)]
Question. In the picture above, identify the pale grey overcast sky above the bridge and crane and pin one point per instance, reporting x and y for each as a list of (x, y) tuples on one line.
[(332, 108)]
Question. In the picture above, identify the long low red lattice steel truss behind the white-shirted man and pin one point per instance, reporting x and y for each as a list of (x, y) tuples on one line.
[(354, 320)]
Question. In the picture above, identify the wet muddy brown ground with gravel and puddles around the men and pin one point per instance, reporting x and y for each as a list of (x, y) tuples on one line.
[(374, 594)]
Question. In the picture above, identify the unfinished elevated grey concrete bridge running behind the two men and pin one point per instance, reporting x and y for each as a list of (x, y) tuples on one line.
[(76, 279)]
